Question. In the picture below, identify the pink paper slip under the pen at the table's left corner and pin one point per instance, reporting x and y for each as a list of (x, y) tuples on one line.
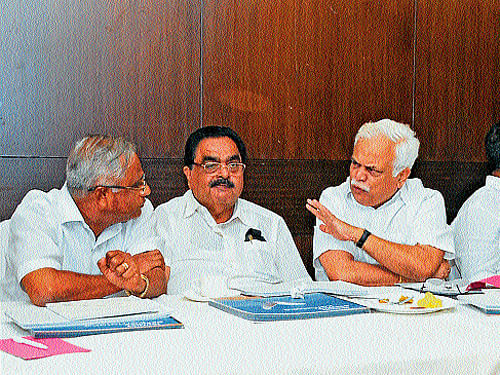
[(55, 346)]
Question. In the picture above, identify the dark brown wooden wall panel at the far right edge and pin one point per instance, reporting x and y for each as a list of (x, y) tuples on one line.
[(458, 77)]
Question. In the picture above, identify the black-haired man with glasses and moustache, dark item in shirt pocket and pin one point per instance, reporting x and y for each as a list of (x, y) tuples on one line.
[(211, 232)]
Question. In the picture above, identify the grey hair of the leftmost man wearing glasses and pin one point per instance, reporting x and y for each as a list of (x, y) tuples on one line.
[(97, 160)]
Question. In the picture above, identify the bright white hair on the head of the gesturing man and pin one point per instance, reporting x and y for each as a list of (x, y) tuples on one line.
[(402, 135)]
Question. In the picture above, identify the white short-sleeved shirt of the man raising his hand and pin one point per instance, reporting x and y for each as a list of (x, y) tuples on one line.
[(414, 215)]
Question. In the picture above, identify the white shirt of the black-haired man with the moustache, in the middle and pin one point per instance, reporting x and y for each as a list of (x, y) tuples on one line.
[(198, 247)]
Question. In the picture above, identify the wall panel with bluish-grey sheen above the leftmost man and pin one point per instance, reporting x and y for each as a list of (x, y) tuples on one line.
[(125, 68)]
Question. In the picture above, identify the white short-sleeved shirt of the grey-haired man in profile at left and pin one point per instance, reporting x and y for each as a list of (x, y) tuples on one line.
[(48, 230)]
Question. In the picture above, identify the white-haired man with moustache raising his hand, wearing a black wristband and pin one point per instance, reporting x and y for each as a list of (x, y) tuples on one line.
[(379, 227)]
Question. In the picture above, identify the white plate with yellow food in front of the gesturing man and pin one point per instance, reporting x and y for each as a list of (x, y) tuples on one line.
[(407, 302)]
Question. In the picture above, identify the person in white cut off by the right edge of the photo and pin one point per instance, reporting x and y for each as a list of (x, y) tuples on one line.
[(477, 225)]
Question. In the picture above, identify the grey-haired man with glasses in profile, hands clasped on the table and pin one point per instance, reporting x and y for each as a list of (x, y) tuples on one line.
[(76, 242)]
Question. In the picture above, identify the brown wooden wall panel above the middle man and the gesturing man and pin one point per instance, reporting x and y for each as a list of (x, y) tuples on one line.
[(296, 78)]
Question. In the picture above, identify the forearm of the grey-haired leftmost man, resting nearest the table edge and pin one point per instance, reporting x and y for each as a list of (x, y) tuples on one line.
[(50, 285)]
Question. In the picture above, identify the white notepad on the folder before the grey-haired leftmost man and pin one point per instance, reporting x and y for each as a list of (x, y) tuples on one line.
[(103, 308)]
